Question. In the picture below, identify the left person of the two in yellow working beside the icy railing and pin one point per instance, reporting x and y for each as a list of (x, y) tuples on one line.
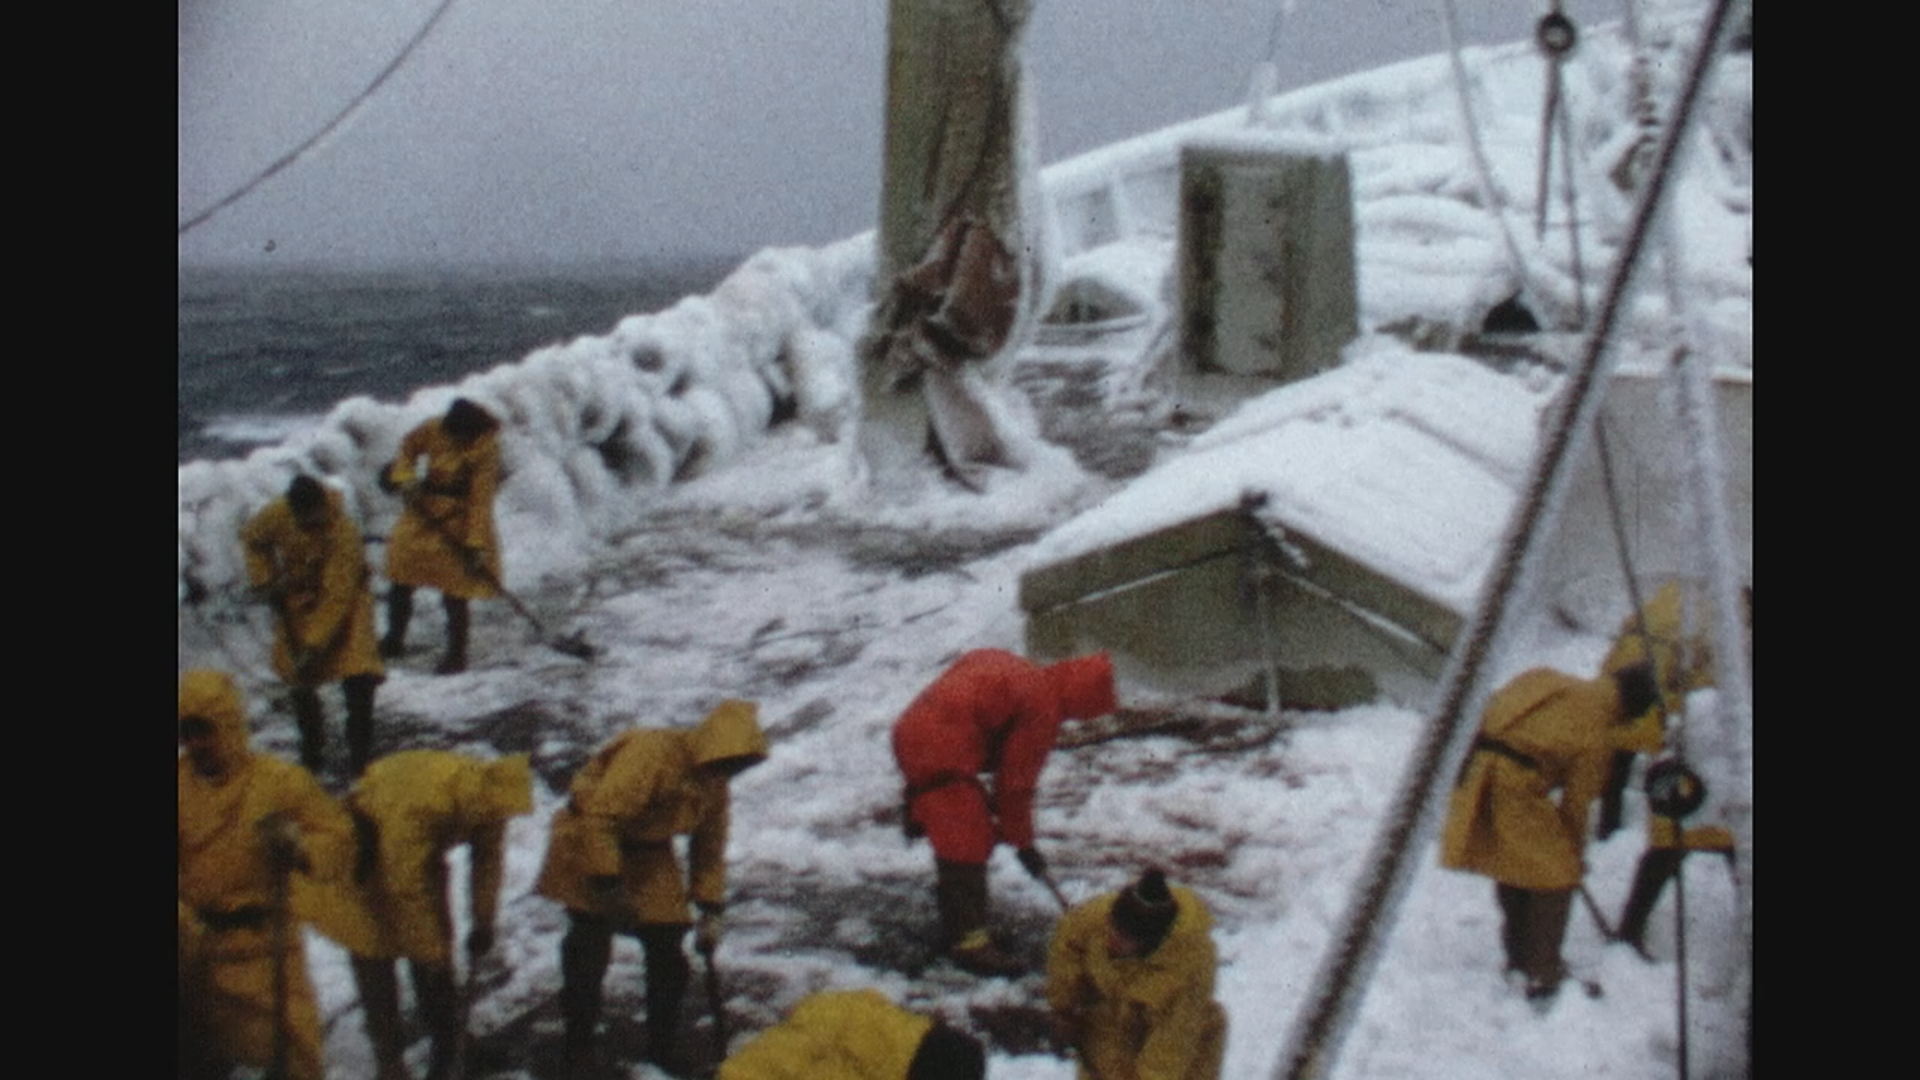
[(304, 556)]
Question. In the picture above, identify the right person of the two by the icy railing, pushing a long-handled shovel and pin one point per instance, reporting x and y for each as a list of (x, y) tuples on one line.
[(444, 537)]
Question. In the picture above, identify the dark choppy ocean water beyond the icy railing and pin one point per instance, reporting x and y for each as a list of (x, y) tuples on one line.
[(270, 351)]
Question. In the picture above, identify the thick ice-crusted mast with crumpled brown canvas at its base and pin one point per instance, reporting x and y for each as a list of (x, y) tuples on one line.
[(959, 270)]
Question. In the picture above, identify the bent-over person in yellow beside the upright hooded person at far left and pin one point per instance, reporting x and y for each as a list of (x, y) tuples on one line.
[(410, 810)]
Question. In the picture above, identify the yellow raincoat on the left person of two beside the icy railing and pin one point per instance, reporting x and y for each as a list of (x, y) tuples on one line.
[(327, 593)]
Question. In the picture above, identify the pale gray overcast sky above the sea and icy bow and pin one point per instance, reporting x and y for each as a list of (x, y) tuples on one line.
[(590, 130)]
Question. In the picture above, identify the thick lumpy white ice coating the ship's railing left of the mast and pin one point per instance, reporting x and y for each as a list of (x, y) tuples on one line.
[(592, 426)]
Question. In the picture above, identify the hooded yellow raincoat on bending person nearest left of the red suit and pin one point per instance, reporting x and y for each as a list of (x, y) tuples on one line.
[(633, 798)]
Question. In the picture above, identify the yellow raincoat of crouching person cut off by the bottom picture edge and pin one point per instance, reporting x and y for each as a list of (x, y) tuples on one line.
[(836, 1035)]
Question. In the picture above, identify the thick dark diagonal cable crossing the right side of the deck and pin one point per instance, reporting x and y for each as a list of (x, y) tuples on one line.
[(1314, 1041)]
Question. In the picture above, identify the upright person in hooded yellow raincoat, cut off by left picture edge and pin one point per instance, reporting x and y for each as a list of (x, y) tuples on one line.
[(254, 837)]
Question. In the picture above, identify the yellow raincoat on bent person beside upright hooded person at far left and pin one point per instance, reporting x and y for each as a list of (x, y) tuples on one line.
[(414, 808)]
